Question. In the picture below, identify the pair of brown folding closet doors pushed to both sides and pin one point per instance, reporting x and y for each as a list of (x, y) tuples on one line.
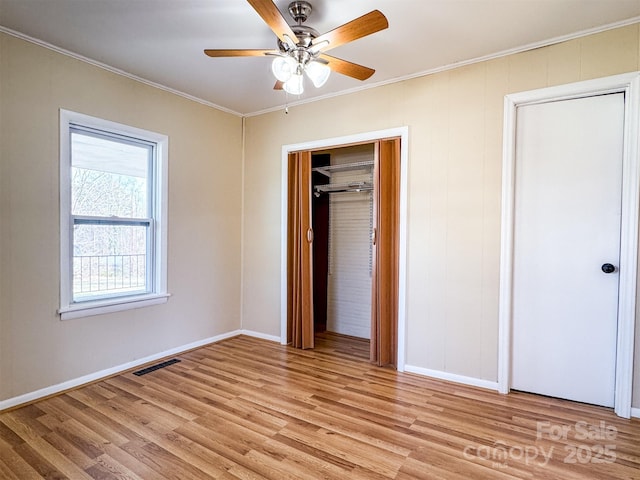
[(385, 248)]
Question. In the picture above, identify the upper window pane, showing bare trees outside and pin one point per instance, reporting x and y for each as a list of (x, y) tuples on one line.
[(109, 177)]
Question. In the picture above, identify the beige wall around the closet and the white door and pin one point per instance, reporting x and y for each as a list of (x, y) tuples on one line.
[(455, 156)]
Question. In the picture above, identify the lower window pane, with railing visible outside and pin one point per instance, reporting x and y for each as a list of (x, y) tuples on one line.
[(109, 259)]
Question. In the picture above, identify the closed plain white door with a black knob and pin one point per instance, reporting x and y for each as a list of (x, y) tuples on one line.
[(568, 177)]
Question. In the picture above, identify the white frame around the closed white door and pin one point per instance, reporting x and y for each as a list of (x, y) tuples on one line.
[(629, 84)]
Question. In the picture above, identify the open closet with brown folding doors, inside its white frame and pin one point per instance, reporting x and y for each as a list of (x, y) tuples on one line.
[(343, 248)]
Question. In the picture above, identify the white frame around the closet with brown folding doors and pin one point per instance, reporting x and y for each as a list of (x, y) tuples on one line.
[(334, 142)]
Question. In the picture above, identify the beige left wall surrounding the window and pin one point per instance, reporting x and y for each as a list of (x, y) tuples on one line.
[(36, 348)]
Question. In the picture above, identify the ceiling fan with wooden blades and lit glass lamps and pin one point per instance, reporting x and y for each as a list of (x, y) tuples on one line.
[(301, 48)]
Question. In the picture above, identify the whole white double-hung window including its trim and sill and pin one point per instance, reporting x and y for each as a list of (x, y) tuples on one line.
[(113, 186)]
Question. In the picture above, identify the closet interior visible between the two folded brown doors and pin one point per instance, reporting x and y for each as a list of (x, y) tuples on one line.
[(342, 223)]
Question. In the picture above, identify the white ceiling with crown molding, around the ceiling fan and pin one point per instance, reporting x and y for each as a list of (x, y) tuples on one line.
[(162, 41)]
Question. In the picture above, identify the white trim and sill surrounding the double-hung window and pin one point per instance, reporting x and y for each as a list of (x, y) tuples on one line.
[(68, 309)]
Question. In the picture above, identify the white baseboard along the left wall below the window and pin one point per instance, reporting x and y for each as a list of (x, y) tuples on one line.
[(92, 377)]
